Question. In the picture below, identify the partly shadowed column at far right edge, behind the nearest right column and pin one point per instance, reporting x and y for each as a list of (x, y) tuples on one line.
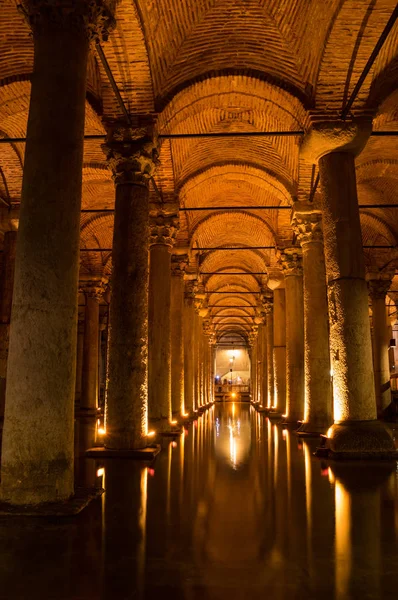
[(378, 288)]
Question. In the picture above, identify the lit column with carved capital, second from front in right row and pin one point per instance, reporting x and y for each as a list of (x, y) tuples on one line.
[(318, 415)]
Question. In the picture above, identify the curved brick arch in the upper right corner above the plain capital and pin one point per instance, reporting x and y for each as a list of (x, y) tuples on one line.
[(354, 32)]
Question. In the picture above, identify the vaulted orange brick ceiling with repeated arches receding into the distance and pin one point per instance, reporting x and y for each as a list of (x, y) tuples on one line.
[(224, 66)]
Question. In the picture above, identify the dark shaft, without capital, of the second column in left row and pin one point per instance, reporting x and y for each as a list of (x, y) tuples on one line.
[(126, 407)]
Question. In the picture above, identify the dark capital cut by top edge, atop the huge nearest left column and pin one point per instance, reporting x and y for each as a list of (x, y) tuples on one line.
[(92, 18)]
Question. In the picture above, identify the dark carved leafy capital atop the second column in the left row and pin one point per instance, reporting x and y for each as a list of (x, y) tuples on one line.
[(132, 150)]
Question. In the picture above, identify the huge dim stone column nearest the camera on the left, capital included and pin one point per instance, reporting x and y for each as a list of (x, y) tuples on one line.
[(37, 466)]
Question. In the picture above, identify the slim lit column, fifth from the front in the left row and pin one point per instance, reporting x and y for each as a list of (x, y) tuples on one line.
[(189, 332)]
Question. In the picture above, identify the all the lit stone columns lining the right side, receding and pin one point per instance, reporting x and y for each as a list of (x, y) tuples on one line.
[(322, 352)]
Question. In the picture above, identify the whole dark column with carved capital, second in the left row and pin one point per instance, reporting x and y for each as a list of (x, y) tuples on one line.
[(131, 154)]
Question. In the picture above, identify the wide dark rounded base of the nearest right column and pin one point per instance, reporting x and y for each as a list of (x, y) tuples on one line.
[(358, 440)]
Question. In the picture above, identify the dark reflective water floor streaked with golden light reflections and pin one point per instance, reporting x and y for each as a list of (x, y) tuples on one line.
[(234, 508)]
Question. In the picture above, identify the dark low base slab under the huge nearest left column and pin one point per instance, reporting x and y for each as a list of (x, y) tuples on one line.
[(80, 499)]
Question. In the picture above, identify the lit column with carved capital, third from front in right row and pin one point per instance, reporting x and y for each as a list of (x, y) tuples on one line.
[(292, 269)]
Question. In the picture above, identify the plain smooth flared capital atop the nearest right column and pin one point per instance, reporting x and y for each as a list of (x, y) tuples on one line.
[(327, 136)]
